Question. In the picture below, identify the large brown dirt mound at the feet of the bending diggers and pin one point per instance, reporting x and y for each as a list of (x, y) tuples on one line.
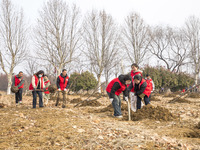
[(154, 113)]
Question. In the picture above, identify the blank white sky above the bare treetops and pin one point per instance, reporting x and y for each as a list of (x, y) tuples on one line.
[(154, 12)]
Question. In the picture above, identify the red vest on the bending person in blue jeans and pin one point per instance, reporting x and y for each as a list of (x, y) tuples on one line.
[(110, 85)]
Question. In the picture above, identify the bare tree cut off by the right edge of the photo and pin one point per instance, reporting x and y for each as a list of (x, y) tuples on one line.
[(192, 31)]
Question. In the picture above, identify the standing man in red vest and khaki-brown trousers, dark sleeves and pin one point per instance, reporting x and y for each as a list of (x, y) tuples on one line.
[(62, 85)]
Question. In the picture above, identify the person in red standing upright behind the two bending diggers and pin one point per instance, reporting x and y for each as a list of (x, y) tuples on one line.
[(134, 71)]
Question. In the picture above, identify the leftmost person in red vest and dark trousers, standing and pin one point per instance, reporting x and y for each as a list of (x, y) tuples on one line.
[(19, 82)]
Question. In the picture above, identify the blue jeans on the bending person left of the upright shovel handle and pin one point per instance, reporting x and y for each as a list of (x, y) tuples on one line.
[(116, 103)]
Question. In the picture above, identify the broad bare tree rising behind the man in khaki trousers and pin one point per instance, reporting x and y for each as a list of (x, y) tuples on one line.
[(57, 33)]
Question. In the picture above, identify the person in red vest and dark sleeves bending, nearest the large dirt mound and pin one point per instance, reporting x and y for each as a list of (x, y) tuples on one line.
[(141, 89)]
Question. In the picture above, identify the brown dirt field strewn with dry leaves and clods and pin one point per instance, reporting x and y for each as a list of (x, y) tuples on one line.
[(160, 126)]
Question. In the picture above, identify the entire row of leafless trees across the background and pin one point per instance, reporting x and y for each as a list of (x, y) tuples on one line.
[(63, 38)]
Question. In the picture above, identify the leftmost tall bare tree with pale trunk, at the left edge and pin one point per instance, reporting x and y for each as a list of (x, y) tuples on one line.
[(13, 39)]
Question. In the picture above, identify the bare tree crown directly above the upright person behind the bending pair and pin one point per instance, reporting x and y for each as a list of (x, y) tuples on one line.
[(135, 38)]
